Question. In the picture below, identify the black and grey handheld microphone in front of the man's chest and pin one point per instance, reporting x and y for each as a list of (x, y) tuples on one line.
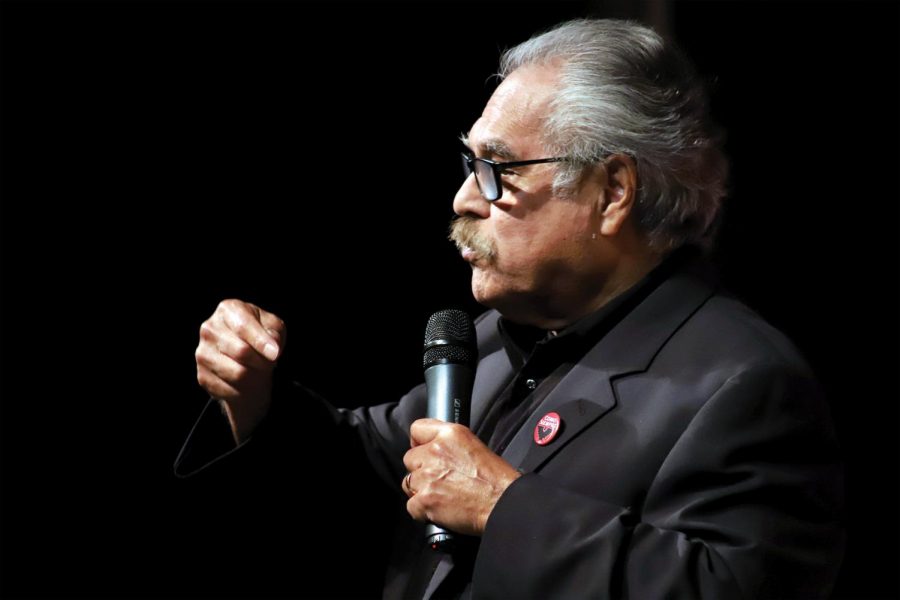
[(449, 360)]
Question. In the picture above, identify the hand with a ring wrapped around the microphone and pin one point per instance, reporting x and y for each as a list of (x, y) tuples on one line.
[(455, 480)]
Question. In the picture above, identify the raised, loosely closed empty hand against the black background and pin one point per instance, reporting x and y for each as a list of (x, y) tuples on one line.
[(239, 346)]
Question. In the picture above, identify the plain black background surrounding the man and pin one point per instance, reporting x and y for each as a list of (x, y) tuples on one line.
[(159, 157)]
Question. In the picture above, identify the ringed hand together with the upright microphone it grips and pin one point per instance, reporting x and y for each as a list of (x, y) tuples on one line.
[(454, 479)]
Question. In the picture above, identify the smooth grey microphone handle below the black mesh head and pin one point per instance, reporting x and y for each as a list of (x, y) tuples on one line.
[(449, 388)]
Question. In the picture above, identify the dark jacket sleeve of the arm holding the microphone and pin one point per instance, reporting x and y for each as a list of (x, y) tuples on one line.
[(745, 505)]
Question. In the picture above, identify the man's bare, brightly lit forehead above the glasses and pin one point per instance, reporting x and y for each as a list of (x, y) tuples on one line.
[(514, 116)]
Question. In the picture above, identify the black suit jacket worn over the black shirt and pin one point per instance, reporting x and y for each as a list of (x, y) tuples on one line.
[(696, 460)]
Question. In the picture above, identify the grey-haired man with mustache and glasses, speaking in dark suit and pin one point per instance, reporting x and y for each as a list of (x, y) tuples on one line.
[(691, 454)]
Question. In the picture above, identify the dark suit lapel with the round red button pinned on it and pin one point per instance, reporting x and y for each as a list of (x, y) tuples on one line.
[(586, 393)]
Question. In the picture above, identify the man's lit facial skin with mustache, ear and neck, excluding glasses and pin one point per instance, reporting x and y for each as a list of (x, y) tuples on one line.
[(552, 256)]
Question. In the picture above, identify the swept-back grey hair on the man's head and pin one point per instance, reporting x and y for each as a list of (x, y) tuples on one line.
[(623, 90)]
